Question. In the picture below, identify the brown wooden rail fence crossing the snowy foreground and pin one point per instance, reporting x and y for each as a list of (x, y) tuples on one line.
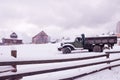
[(19, 75)]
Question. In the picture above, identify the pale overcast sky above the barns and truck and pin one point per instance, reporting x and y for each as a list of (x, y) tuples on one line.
[(58, 17)]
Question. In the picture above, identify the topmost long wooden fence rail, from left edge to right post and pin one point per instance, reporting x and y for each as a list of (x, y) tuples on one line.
[(49, 61)]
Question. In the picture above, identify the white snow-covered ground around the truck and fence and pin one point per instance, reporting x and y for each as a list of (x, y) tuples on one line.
[(49, 51)]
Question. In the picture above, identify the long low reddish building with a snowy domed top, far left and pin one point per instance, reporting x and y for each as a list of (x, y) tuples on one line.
[(12, 40)]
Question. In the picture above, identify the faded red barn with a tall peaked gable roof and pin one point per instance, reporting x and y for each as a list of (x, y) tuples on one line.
[(40, 38)]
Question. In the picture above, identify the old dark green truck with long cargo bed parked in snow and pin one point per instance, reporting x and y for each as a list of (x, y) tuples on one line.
[(92, 44)]
